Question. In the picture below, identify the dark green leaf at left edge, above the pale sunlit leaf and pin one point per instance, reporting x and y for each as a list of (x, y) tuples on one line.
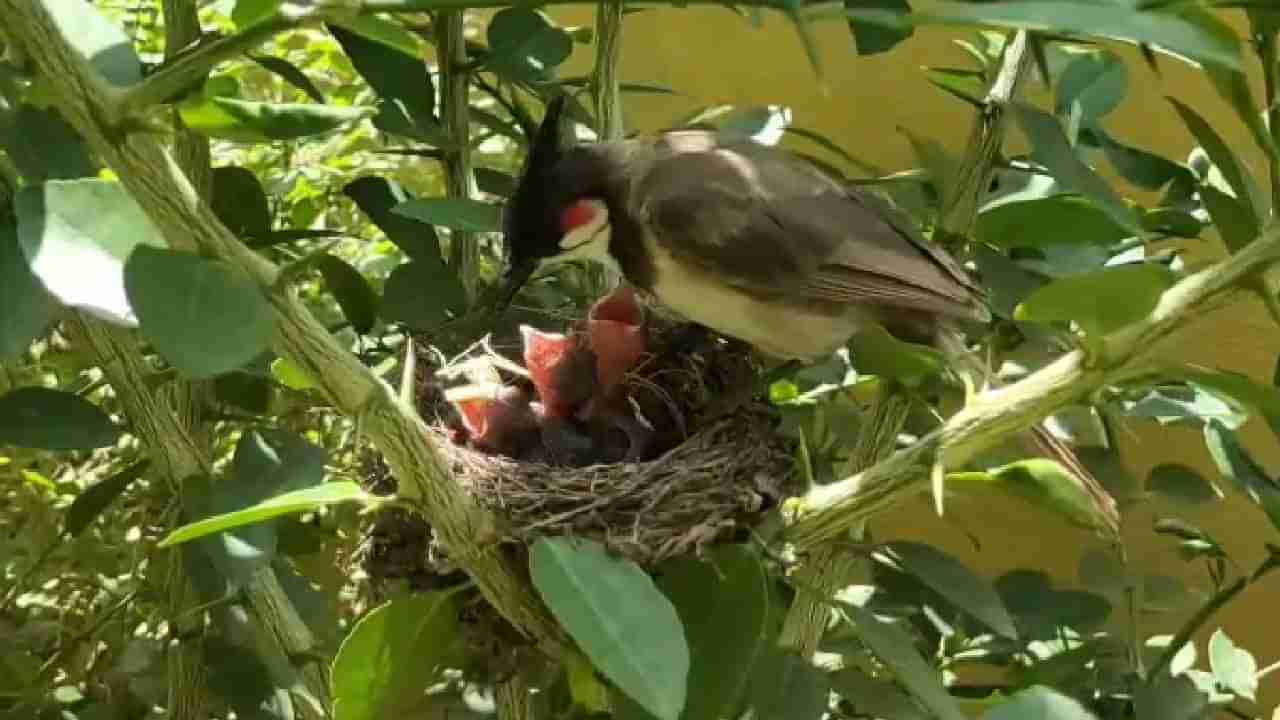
[(43, 145)]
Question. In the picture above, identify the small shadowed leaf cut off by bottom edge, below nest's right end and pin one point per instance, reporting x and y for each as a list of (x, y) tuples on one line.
[(787, 687)]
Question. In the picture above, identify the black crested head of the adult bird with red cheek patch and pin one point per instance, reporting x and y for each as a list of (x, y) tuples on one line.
[(559, 212)]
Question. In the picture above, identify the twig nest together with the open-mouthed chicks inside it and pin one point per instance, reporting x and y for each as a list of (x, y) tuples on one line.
[(623, 429)]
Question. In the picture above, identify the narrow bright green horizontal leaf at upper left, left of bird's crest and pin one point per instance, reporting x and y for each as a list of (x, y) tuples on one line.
[(245, 121)]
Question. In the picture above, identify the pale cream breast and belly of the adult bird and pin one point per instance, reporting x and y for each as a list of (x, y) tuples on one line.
[(778, 326)]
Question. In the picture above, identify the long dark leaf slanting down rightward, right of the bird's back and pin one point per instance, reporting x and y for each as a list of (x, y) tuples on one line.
[(1052, 149)]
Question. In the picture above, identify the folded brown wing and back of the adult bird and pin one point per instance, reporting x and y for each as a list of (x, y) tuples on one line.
[(774, 224)]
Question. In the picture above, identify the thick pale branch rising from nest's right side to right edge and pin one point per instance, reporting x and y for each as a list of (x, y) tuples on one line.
[(996, 414)]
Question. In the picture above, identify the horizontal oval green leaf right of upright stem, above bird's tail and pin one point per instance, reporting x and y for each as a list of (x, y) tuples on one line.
[(1059, 220)]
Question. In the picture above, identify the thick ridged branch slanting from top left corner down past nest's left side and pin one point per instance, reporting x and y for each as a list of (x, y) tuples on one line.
[(163, 192)]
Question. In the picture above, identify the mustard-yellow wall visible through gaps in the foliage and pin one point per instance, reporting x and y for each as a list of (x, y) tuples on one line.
[(714, 57)]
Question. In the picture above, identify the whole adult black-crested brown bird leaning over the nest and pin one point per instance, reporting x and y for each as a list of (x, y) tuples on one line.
[(752, 241)]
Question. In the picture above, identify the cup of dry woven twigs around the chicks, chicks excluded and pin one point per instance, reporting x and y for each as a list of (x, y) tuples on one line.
[(714, 466)]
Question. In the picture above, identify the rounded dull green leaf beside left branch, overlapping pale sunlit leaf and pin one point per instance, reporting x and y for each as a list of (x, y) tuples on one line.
[(184, 300)]
